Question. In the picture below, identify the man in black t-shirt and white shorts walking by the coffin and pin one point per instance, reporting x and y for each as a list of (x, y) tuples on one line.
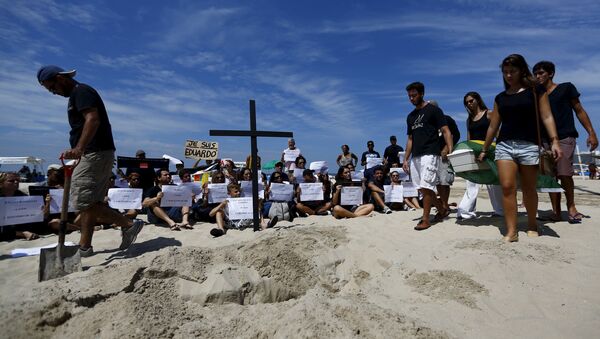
[(423, 124)]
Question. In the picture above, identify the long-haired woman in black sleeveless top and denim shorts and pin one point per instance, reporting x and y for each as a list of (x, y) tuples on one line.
[(517, 152)]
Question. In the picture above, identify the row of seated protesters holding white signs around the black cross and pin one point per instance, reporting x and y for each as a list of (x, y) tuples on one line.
[(202, 210)]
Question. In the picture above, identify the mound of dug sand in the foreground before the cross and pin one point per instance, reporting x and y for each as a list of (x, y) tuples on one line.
[(281, 284)]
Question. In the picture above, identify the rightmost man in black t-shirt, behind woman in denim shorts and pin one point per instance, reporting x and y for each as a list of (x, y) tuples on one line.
[(564, 99)]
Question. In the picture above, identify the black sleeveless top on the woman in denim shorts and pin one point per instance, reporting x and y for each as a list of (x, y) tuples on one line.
[(518, 116)]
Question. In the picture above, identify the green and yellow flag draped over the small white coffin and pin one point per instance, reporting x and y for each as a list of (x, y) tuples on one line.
[(490, 176)]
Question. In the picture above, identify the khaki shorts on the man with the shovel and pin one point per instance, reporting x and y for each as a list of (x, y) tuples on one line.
[(89, 183)]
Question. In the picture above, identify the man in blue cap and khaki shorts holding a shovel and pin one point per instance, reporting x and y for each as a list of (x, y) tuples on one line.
[(92, 142)]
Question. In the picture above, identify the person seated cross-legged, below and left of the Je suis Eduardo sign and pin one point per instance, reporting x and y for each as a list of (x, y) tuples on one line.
[(175, 217)]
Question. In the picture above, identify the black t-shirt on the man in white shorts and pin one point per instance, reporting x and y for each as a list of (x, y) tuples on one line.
[(423, 124)]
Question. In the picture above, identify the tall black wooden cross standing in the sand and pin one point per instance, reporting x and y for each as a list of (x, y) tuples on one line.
[(253, 134)]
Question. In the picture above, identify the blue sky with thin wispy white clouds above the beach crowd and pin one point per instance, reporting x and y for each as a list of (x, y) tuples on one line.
[(332, 72)]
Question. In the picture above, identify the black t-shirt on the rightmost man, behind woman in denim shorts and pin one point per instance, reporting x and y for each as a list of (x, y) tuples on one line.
[(562, 110)]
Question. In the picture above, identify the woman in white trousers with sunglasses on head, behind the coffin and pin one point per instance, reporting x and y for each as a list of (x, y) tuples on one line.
[(477, 126)]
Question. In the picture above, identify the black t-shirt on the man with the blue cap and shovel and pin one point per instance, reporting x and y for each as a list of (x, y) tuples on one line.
[(84, 97)]
